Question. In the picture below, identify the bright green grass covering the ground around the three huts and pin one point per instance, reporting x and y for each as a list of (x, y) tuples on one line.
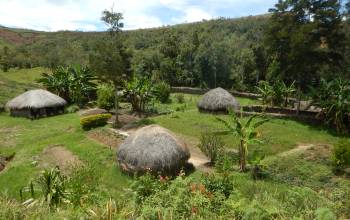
[(300, 180)]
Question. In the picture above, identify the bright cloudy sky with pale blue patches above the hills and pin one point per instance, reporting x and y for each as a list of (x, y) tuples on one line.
[(84, 15)]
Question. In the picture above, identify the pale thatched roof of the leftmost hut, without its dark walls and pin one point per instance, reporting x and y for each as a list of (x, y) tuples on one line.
[(37, 99)]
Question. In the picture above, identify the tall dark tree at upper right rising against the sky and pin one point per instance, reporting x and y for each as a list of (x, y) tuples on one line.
[(304, 38)]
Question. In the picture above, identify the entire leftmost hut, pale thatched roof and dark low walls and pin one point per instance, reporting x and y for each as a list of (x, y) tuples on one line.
[(36, 103)]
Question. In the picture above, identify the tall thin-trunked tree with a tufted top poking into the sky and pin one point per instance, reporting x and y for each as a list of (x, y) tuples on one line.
[(111, 59)]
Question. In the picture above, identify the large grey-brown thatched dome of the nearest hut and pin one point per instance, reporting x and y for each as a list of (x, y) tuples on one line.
[(154, 149)]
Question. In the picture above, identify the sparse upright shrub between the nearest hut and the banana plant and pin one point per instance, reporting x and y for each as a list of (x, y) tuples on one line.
[(211, 145)]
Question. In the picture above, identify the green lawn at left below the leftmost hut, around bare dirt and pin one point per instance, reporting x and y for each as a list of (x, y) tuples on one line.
[(29, 138)]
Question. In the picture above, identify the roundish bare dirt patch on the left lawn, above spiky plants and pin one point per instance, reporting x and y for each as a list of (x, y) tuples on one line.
[(58, 155)]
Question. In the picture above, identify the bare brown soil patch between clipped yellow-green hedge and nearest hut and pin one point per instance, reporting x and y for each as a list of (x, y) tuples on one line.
[(106, 137)]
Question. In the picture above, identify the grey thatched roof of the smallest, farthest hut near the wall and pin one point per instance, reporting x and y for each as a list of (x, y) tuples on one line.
[(218, 100)]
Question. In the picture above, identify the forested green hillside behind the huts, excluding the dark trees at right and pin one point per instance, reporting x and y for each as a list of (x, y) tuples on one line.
[(206, 53)]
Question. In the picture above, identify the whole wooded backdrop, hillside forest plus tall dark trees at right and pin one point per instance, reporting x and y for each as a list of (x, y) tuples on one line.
[(231, 53)]
